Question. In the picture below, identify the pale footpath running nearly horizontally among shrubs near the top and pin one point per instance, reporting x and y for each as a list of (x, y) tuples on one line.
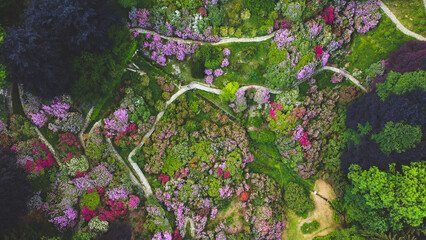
[(189, 41)]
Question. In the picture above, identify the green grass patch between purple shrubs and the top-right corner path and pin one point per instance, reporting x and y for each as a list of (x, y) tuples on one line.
[(375, 45)]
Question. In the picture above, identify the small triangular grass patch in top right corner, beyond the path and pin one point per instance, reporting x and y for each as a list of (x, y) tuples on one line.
[(412, 14)]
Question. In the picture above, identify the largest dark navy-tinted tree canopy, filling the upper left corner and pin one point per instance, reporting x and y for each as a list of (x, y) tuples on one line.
[(39, 55)]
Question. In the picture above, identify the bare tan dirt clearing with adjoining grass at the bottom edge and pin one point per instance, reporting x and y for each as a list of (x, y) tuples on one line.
[(323, 214)]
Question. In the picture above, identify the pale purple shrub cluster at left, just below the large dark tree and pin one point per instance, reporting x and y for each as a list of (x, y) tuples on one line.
[(58, 114)]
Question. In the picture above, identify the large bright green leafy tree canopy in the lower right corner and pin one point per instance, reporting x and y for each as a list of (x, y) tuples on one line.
[(383, 201)]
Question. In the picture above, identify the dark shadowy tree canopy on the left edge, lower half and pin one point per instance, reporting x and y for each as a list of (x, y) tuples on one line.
[(15, 190)]
